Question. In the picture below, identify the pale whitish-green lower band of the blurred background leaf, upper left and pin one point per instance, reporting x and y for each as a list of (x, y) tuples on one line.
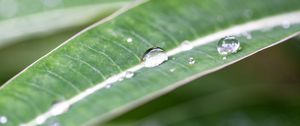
[(50, 21)]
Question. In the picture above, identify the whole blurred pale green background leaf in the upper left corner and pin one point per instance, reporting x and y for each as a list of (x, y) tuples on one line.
[(22, 19)]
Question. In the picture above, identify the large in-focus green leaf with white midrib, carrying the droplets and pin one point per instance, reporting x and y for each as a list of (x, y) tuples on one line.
[(78, 71)]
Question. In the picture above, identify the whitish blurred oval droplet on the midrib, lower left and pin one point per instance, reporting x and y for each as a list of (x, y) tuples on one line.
[(59, 108)]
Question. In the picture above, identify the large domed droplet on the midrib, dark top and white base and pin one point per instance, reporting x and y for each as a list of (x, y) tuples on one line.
[(154, 57)]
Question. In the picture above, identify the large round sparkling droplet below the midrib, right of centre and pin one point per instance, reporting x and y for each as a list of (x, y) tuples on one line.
[(228, 45)]
